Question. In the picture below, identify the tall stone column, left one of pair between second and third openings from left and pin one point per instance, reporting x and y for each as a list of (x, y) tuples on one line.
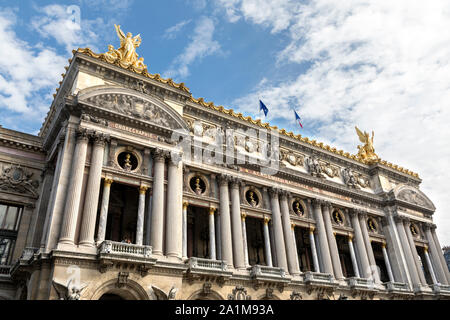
[(225, 222)]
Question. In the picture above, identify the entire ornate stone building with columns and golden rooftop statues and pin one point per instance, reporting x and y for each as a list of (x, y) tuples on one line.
[(99, 206)]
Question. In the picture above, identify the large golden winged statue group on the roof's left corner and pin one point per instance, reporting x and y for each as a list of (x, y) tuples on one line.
[(126, 55)]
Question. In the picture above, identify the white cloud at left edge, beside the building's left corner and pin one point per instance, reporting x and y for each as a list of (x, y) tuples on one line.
[(25, 70)]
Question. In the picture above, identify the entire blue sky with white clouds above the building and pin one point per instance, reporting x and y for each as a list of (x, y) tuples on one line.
[(382, 65)]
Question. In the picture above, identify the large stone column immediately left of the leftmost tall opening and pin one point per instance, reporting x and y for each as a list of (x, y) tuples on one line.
[(87, 231)]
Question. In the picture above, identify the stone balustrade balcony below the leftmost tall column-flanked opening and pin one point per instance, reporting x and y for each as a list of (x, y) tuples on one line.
[(111, 252)]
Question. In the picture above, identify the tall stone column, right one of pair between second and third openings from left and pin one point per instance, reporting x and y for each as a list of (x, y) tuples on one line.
[(238, 249)]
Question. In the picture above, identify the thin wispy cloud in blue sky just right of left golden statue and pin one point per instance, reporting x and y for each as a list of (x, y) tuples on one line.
[(200, 45)]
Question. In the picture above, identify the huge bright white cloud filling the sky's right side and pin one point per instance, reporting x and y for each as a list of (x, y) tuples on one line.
[(381, 65)]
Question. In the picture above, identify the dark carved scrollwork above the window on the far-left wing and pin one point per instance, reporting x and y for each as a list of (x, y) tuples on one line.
[(17, 179)]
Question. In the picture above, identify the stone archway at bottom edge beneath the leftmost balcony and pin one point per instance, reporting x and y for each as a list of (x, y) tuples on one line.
[(129, 291)]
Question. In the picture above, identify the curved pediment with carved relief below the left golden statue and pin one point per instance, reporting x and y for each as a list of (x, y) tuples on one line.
[(133, 104)]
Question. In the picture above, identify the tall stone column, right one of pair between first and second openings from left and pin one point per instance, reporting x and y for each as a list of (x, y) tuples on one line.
[(174, 221)]
